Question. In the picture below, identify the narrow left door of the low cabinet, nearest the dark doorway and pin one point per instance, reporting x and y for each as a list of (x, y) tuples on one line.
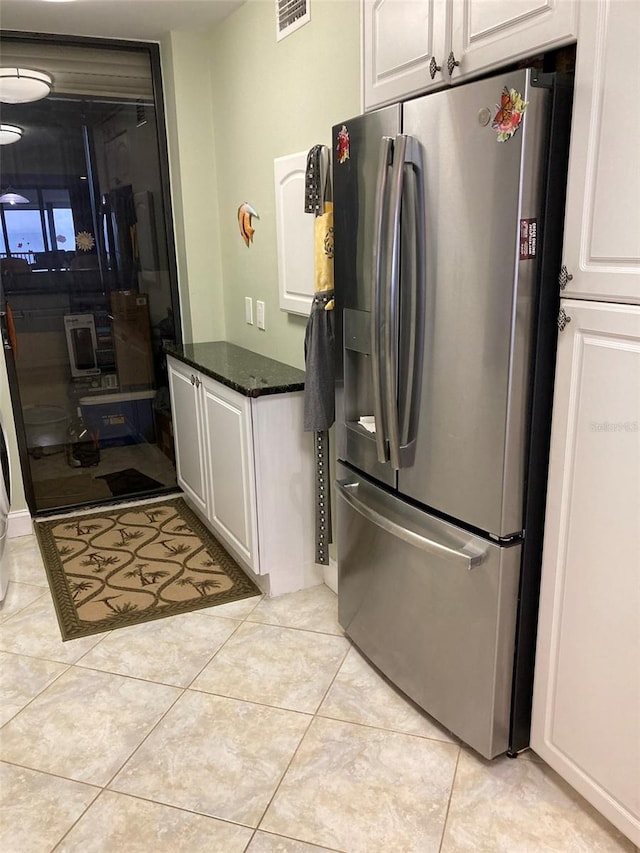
[(187, 426)]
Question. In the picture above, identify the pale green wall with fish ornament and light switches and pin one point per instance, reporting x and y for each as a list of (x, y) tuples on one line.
[(269, 99)]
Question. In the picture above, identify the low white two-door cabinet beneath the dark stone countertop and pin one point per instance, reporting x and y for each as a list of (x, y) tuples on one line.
[(247, 466)]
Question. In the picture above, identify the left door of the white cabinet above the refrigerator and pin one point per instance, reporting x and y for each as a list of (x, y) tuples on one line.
[(399, 40)]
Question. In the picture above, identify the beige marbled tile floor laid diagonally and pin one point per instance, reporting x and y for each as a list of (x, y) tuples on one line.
[(254, 726)]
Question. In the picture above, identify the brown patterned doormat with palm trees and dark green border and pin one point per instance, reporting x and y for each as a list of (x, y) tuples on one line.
[(123, 566)]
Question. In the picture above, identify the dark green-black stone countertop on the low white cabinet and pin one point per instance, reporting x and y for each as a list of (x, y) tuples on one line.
[(243, 370)]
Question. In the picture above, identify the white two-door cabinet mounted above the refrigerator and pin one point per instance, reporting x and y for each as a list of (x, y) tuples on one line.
[(411, 46)]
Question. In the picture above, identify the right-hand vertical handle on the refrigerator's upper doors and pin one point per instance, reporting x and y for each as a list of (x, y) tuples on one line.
[(406, 152)]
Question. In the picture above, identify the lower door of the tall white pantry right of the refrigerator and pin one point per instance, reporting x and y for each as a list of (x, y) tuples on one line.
[(586, 709)]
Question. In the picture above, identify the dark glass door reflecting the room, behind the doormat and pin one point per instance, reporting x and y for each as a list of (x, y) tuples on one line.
[(88, 273)]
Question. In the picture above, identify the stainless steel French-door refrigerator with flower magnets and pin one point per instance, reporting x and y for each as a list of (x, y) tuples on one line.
[(448, 215)]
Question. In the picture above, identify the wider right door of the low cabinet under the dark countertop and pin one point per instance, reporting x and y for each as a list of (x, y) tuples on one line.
[(227, 425)]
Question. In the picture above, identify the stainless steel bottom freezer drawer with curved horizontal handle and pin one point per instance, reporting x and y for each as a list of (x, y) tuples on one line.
[(432, 606)]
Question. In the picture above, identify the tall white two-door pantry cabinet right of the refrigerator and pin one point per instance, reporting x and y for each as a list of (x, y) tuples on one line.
[(586, 712)]
